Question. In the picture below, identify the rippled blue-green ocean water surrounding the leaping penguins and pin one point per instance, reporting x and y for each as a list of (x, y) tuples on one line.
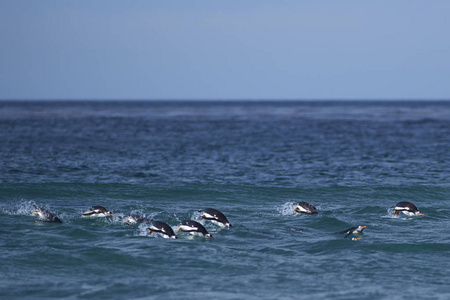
[(353, 160)]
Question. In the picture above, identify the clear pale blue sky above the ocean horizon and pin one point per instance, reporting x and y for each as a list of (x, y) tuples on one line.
[(225, 50)]
